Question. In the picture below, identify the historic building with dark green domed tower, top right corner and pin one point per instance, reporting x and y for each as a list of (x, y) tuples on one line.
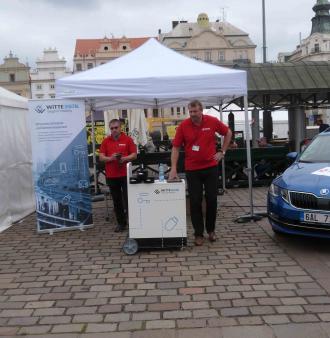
[(316, 47)]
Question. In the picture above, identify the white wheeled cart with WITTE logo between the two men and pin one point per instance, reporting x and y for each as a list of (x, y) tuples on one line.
[(157, 215)]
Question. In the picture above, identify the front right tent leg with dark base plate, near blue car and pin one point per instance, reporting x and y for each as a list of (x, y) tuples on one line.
[(250, 216)]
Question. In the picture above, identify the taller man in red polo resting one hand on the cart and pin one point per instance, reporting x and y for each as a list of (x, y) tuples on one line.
[(197, 135)]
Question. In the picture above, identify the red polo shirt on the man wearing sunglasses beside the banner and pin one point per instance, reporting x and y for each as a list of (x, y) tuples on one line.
[(123, 145)]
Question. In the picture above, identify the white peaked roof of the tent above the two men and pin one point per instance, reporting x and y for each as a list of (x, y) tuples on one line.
[(153, 76)]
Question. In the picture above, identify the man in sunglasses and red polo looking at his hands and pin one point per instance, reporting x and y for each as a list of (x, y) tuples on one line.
[(116, 150)]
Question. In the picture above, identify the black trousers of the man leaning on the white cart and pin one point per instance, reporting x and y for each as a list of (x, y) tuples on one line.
[(199, 180)]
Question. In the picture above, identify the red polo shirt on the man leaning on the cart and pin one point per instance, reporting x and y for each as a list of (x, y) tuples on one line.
[(199, 141)]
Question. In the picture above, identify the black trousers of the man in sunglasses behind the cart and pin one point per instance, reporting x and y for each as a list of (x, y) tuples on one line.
[(118, 190)]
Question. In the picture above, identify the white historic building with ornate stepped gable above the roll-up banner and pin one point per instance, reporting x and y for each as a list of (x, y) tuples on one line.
[(48, 68)]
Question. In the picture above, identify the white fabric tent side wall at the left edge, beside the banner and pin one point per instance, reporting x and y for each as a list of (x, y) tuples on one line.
[(16, 185)]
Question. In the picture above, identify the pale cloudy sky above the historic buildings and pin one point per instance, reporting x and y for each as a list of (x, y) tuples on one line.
[(27, 27)]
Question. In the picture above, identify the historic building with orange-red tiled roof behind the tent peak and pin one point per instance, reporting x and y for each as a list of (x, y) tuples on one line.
[(90, 53)]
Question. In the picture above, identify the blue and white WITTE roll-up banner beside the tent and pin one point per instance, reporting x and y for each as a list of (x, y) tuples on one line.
[(60, 165)]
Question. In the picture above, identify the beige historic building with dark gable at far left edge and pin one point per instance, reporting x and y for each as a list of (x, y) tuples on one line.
[(14, 76)]
